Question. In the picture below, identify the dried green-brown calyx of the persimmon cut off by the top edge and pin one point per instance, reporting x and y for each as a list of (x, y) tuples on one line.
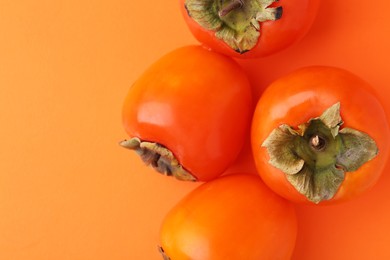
[(236, 22)]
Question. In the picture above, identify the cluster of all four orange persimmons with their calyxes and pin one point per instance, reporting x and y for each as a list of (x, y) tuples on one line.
[(319, 135)]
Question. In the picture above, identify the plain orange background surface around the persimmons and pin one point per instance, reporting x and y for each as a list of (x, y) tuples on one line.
[(68, 191)]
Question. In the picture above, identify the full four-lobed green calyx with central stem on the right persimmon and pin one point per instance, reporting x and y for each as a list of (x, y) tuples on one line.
[(316, 156)]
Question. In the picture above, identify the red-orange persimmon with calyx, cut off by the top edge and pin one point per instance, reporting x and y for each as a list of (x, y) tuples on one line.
[(249, 28)]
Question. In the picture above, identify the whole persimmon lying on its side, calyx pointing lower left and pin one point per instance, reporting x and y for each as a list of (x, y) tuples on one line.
[(189, 113)]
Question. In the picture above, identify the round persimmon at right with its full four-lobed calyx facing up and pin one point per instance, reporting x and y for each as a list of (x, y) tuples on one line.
[(320, 135)]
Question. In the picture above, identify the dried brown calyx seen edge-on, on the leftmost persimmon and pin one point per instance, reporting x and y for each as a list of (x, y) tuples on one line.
[(159, 157)]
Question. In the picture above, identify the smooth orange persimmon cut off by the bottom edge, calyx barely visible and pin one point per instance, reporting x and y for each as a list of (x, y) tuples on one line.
[(233, 217)]
